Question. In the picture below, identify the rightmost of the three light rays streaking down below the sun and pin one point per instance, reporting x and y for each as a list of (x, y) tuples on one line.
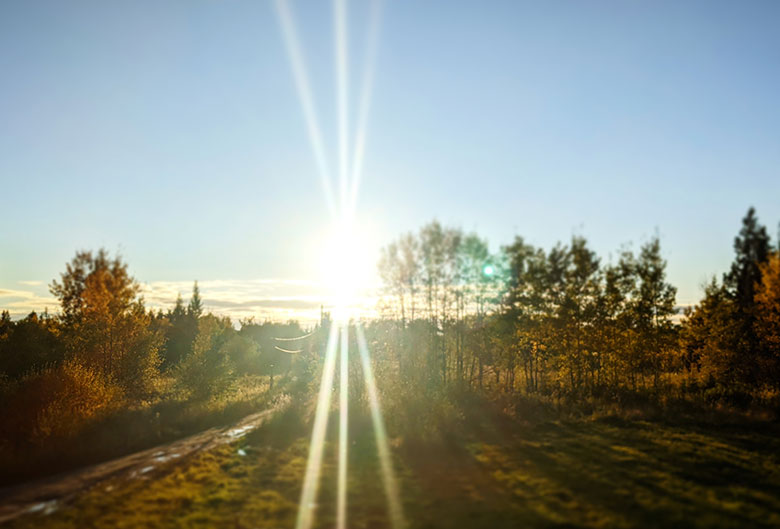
[(383, 449)]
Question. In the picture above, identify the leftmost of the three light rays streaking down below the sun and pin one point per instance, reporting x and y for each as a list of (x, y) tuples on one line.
[(314, 464)]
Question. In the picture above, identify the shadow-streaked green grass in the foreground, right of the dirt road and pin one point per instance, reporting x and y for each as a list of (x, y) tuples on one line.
[(483, 468)]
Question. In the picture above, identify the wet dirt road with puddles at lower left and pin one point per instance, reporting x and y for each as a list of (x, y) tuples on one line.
[(46, 495)]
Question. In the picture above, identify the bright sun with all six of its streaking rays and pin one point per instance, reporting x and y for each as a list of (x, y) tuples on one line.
[(343, 268)]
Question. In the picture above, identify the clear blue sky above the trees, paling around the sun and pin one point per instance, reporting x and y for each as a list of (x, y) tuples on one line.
[(172, 132)]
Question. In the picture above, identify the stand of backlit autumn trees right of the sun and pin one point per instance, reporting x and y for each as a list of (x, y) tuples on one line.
[(563, 322)]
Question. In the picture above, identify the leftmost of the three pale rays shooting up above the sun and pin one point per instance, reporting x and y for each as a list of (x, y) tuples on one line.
[(307, 101)]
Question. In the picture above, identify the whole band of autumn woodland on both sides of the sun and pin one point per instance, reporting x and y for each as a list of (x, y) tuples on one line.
[(523, 332)]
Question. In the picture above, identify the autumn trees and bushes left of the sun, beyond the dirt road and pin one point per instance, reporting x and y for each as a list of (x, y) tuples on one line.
[(105, 352)]
